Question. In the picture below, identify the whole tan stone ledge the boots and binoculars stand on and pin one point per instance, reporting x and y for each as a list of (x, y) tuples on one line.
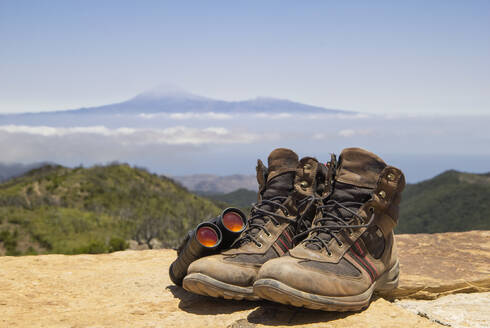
[(445, 281)]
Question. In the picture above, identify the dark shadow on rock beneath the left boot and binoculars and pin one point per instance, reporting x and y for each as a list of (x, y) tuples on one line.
[(204, 305)]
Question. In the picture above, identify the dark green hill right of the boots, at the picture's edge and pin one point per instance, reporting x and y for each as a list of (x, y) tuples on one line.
[(451, 201)]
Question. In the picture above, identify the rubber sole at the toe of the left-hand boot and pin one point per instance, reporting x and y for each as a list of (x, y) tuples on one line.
[(201, 284)]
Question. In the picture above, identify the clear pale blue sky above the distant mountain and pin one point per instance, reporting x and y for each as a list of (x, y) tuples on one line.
[(367, 56)]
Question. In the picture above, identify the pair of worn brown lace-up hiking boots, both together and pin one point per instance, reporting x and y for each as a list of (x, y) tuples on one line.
[(320, 236)]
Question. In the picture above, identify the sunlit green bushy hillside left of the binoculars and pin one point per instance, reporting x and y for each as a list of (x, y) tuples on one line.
[(55, 209)]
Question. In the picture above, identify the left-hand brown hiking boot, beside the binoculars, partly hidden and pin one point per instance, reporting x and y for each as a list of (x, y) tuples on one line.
[(286, 206)]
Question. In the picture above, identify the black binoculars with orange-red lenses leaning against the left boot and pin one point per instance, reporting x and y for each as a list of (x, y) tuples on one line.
[(207, 238)]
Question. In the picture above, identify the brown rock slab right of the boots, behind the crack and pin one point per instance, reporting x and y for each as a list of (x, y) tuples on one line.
[(434, 265)]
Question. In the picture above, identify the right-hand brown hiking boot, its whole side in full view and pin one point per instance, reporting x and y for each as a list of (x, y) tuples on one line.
[(350, 250)]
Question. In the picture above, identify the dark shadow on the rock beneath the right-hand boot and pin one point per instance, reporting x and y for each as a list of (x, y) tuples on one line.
[(272, 314)]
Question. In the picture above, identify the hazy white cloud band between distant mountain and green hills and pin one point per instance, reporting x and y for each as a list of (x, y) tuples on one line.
[(231, 146)]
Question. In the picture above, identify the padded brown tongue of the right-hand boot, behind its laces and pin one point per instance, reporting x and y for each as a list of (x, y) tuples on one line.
[(356, 177)]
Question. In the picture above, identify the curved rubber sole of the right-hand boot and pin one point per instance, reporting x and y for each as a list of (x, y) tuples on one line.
[(276, 291)]
